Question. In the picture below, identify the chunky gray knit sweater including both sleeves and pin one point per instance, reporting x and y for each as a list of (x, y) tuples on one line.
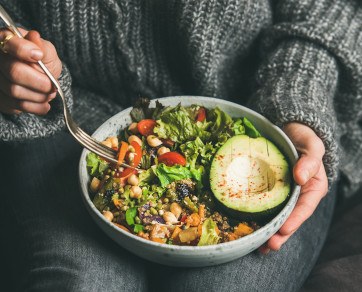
[(290, 60)]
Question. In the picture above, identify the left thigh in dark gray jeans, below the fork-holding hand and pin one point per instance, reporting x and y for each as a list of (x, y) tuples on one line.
[(61, 249)]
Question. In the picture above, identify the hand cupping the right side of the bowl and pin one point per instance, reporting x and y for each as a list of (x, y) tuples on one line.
[(308, 172)]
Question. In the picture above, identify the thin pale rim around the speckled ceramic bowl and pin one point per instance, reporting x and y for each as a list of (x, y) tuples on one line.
[(294, 194)]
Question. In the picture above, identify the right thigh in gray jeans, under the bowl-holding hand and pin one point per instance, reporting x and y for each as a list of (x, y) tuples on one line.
[(285, 270)]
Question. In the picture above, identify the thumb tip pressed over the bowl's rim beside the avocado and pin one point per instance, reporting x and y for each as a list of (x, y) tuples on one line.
[(306, 168)]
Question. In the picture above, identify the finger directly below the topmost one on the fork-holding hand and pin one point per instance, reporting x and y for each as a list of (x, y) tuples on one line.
[(24, 75)]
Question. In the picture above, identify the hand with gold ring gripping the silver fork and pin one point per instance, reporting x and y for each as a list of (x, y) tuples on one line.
[(24, 87)]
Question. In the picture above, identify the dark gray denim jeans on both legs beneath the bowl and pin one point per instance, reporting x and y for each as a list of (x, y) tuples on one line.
[(49, 242)]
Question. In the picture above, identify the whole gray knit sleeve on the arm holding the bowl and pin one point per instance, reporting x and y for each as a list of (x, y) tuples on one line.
[(311, 50)]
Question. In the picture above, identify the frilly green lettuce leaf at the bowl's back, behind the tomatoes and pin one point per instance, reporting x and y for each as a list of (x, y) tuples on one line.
[(176, 124)]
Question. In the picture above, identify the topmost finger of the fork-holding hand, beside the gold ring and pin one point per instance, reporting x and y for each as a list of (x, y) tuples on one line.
[(20, 48)]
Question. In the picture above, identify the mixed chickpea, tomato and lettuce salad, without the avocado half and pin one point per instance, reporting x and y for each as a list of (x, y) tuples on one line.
[(170, 201)]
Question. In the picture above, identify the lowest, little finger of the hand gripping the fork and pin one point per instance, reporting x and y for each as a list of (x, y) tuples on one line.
[(25, 106)]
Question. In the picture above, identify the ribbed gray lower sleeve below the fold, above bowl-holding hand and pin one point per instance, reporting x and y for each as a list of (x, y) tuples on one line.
[(297, 83)]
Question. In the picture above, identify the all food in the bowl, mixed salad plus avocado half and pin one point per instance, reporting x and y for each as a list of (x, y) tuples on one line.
[(202, 169)]
